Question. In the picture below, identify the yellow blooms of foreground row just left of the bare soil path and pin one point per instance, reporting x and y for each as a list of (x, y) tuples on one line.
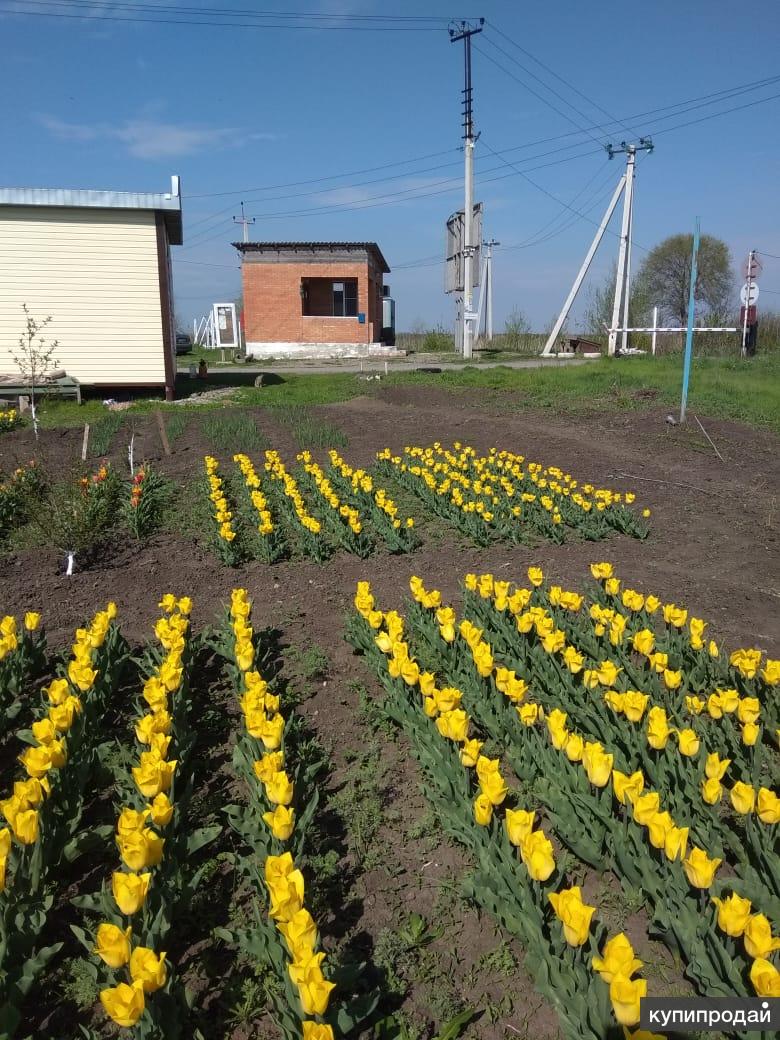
[(265, 723)]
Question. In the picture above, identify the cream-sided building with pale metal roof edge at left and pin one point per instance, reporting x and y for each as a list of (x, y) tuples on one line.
[(99, 264)]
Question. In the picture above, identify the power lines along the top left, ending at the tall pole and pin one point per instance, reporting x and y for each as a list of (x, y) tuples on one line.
[(388, 25)]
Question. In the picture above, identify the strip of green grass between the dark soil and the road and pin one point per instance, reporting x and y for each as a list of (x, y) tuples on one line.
[(747, 392)]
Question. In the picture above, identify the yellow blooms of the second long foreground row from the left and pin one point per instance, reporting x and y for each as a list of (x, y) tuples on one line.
[(140, 825)]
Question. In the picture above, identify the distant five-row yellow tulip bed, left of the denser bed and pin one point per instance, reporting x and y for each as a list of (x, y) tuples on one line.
[(311, 512)]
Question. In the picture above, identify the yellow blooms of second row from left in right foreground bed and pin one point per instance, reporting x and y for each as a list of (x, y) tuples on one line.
[(631, 791)]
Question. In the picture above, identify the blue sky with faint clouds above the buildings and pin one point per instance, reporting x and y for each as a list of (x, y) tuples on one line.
[(254, 112)]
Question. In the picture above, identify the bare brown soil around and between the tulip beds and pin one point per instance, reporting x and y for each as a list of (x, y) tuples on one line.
[(714, 548)]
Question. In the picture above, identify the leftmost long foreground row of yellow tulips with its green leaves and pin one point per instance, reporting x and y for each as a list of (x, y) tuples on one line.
[(44, 814)]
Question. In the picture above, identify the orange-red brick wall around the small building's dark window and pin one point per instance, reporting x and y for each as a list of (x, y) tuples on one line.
[(273, 311)]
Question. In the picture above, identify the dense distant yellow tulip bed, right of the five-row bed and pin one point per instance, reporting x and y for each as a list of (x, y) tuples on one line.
[(503, 497)]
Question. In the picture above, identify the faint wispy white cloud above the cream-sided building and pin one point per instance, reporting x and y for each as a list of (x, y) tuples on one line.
[(147, 139)]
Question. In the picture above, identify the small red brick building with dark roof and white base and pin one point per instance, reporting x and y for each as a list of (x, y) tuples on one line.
[(313, 300)]
